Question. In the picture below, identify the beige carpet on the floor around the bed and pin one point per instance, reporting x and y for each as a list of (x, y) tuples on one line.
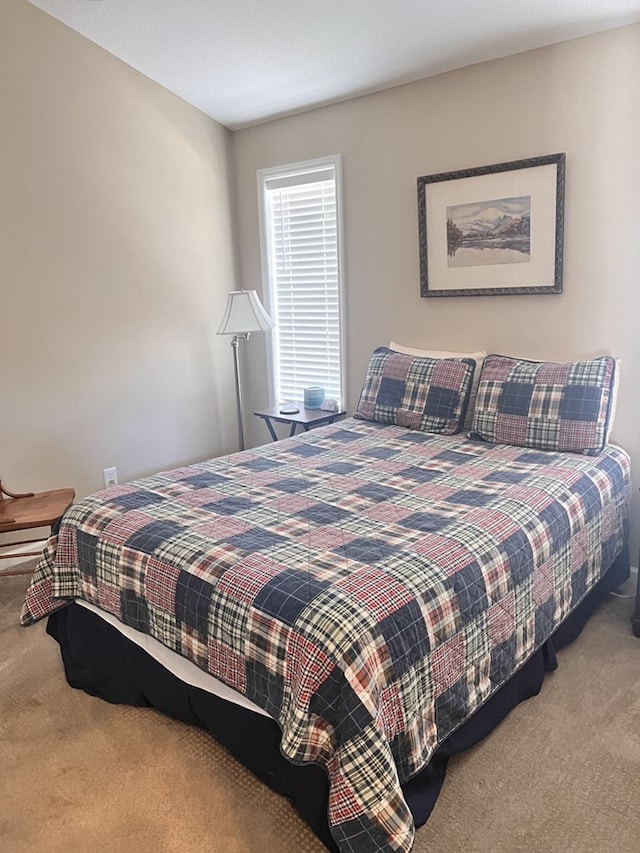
[(560, 775)]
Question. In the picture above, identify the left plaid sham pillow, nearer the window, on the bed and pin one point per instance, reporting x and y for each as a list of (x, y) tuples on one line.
[(429, 394)]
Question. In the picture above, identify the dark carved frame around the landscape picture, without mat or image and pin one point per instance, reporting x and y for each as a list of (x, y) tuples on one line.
[(423, 183)]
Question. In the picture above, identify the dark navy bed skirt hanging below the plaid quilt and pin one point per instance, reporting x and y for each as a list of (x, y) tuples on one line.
[(100, 661)]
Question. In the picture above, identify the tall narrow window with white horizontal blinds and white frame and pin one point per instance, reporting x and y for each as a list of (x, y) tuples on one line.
[(300, 236)]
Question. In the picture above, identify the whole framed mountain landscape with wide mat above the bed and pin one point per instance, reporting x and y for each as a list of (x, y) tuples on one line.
[(493, 230)]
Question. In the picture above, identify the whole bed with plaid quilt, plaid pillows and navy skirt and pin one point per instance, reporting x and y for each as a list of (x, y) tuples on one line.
[(376, 594)]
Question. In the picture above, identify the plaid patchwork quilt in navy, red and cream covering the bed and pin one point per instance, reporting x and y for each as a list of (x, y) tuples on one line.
[(369, 586)]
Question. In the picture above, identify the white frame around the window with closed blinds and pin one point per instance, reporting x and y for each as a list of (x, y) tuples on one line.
[(291, 170)]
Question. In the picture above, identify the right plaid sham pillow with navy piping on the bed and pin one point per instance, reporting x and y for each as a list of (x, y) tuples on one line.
[(545, 405)]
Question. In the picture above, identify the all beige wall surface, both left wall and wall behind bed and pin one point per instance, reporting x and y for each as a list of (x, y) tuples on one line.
[(117, 229)]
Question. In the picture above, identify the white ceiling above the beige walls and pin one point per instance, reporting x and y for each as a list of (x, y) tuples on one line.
[(246, 61)]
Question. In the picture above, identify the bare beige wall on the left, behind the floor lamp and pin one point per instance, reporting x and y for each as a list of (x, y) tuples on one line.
[(117, 253)]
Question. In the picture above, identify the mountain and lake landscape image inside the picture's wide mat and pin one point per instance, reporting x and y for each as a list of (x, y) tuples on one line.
[(497, 231)]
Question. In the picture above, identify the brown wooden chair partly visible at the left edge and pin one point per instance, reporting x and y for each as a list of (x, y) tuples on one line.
[(28, 511)]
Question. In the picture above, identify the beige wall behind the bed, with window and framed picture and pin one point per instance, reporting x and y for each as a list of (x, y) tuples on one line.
[(580, 97)]
